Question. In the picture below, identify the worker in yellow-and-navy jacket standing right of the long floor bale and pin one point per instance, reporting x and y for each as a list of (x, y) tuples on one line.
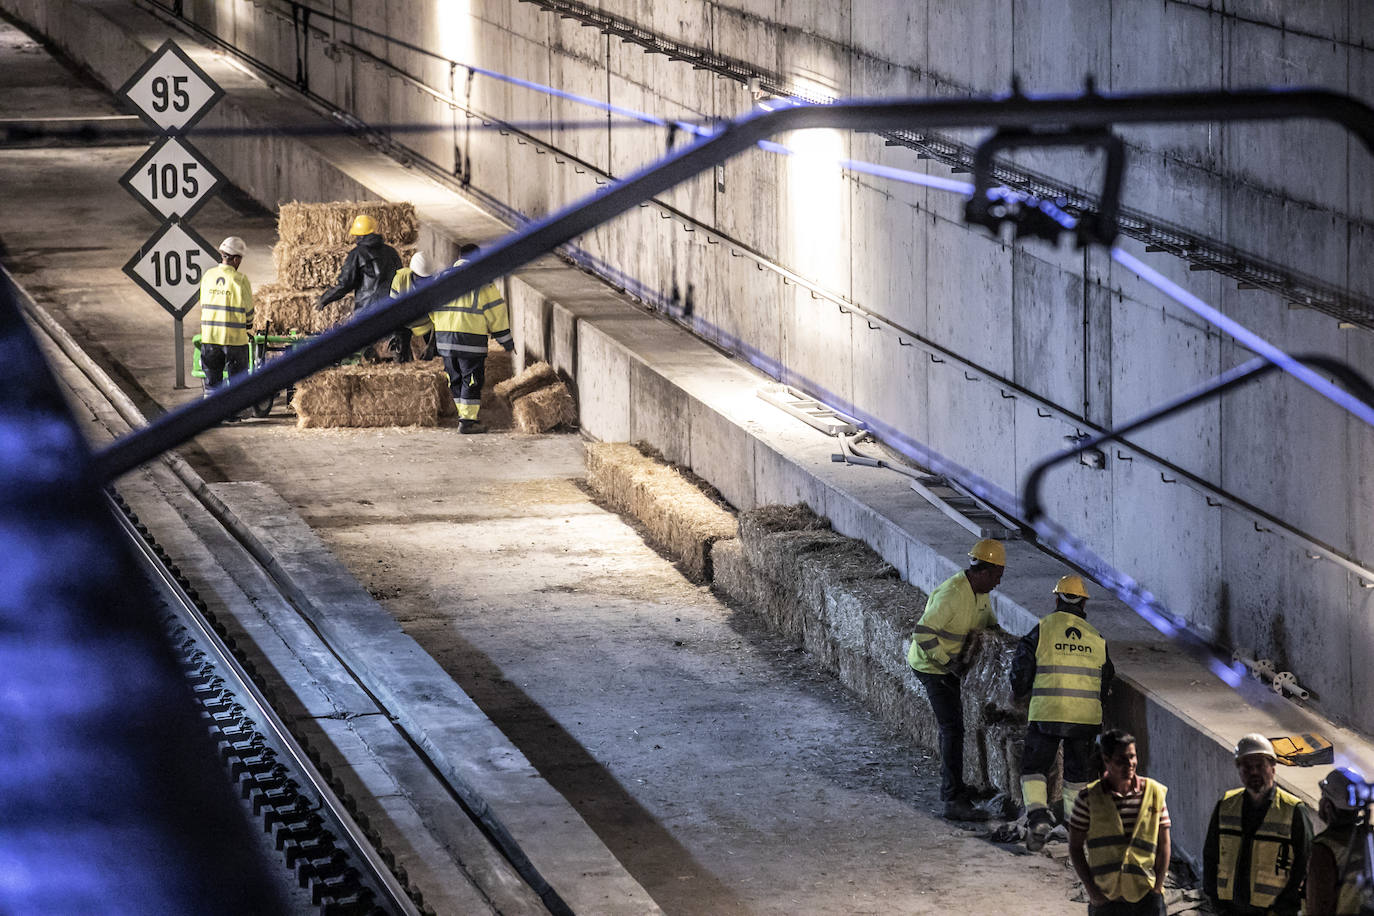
[(461, 332)]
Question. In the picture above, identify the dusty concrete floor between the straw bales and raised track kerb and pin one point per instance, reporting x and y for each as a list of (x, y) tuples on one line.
[(715, 760)]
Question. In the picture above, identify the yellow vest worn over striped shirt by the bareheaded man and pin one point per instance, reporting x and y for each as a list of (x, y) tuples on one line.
[(1123, 867)]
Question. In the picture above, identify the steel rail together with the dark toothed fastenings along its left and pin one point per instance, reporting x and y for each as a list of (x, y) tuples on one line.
[(311, 826)]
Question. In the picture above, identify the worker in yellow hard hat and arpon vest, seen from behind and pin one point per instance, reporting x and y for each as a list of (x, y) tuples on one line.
[(1064, 665)]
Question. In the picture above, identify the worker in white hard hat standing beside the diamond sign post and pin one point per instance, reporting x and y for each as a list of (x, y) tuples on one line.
[(226, 317)]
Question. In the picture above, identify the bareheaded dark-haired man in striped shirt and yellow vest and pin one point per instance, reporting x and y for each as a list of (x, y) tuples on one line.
[(1119, 836)]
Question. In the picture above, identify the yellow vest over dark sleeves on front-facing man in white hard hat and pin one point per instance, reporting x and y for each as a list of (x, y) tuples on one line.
[(1272, 851)]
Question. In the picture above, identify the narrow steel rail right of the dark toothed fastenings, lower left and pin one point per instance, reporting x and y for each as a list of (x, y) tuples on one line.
[(394, 897)]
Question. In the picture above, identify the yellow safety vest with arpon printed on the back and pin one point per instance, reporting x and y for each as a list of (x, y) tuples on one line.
[(1068, 672)]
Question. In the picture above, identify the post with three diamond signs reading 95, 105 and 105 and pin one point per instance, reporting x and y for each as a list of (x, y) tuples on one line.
[(174, 182)]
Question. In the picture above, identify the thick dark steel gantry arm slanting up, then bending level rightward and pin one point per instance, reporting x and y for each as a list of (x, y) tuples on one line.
[(1089, 111)]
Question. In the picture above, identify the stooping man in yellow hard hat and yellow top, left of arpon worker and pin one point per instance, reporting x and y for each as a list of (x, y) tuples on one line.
[(957, 608)]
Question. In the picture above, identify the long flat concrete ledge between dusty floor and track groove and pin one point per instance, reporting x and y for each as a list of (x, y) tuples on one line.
[(495, 781)]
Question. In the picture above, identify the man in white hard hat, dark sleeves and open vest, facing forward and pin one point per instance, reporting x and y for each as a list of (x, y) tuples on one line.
[(1259, 841)]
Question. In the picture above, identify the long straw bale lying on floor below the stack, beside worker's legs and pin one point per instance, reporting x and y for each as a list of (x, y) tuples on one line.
[(368, 396)]
